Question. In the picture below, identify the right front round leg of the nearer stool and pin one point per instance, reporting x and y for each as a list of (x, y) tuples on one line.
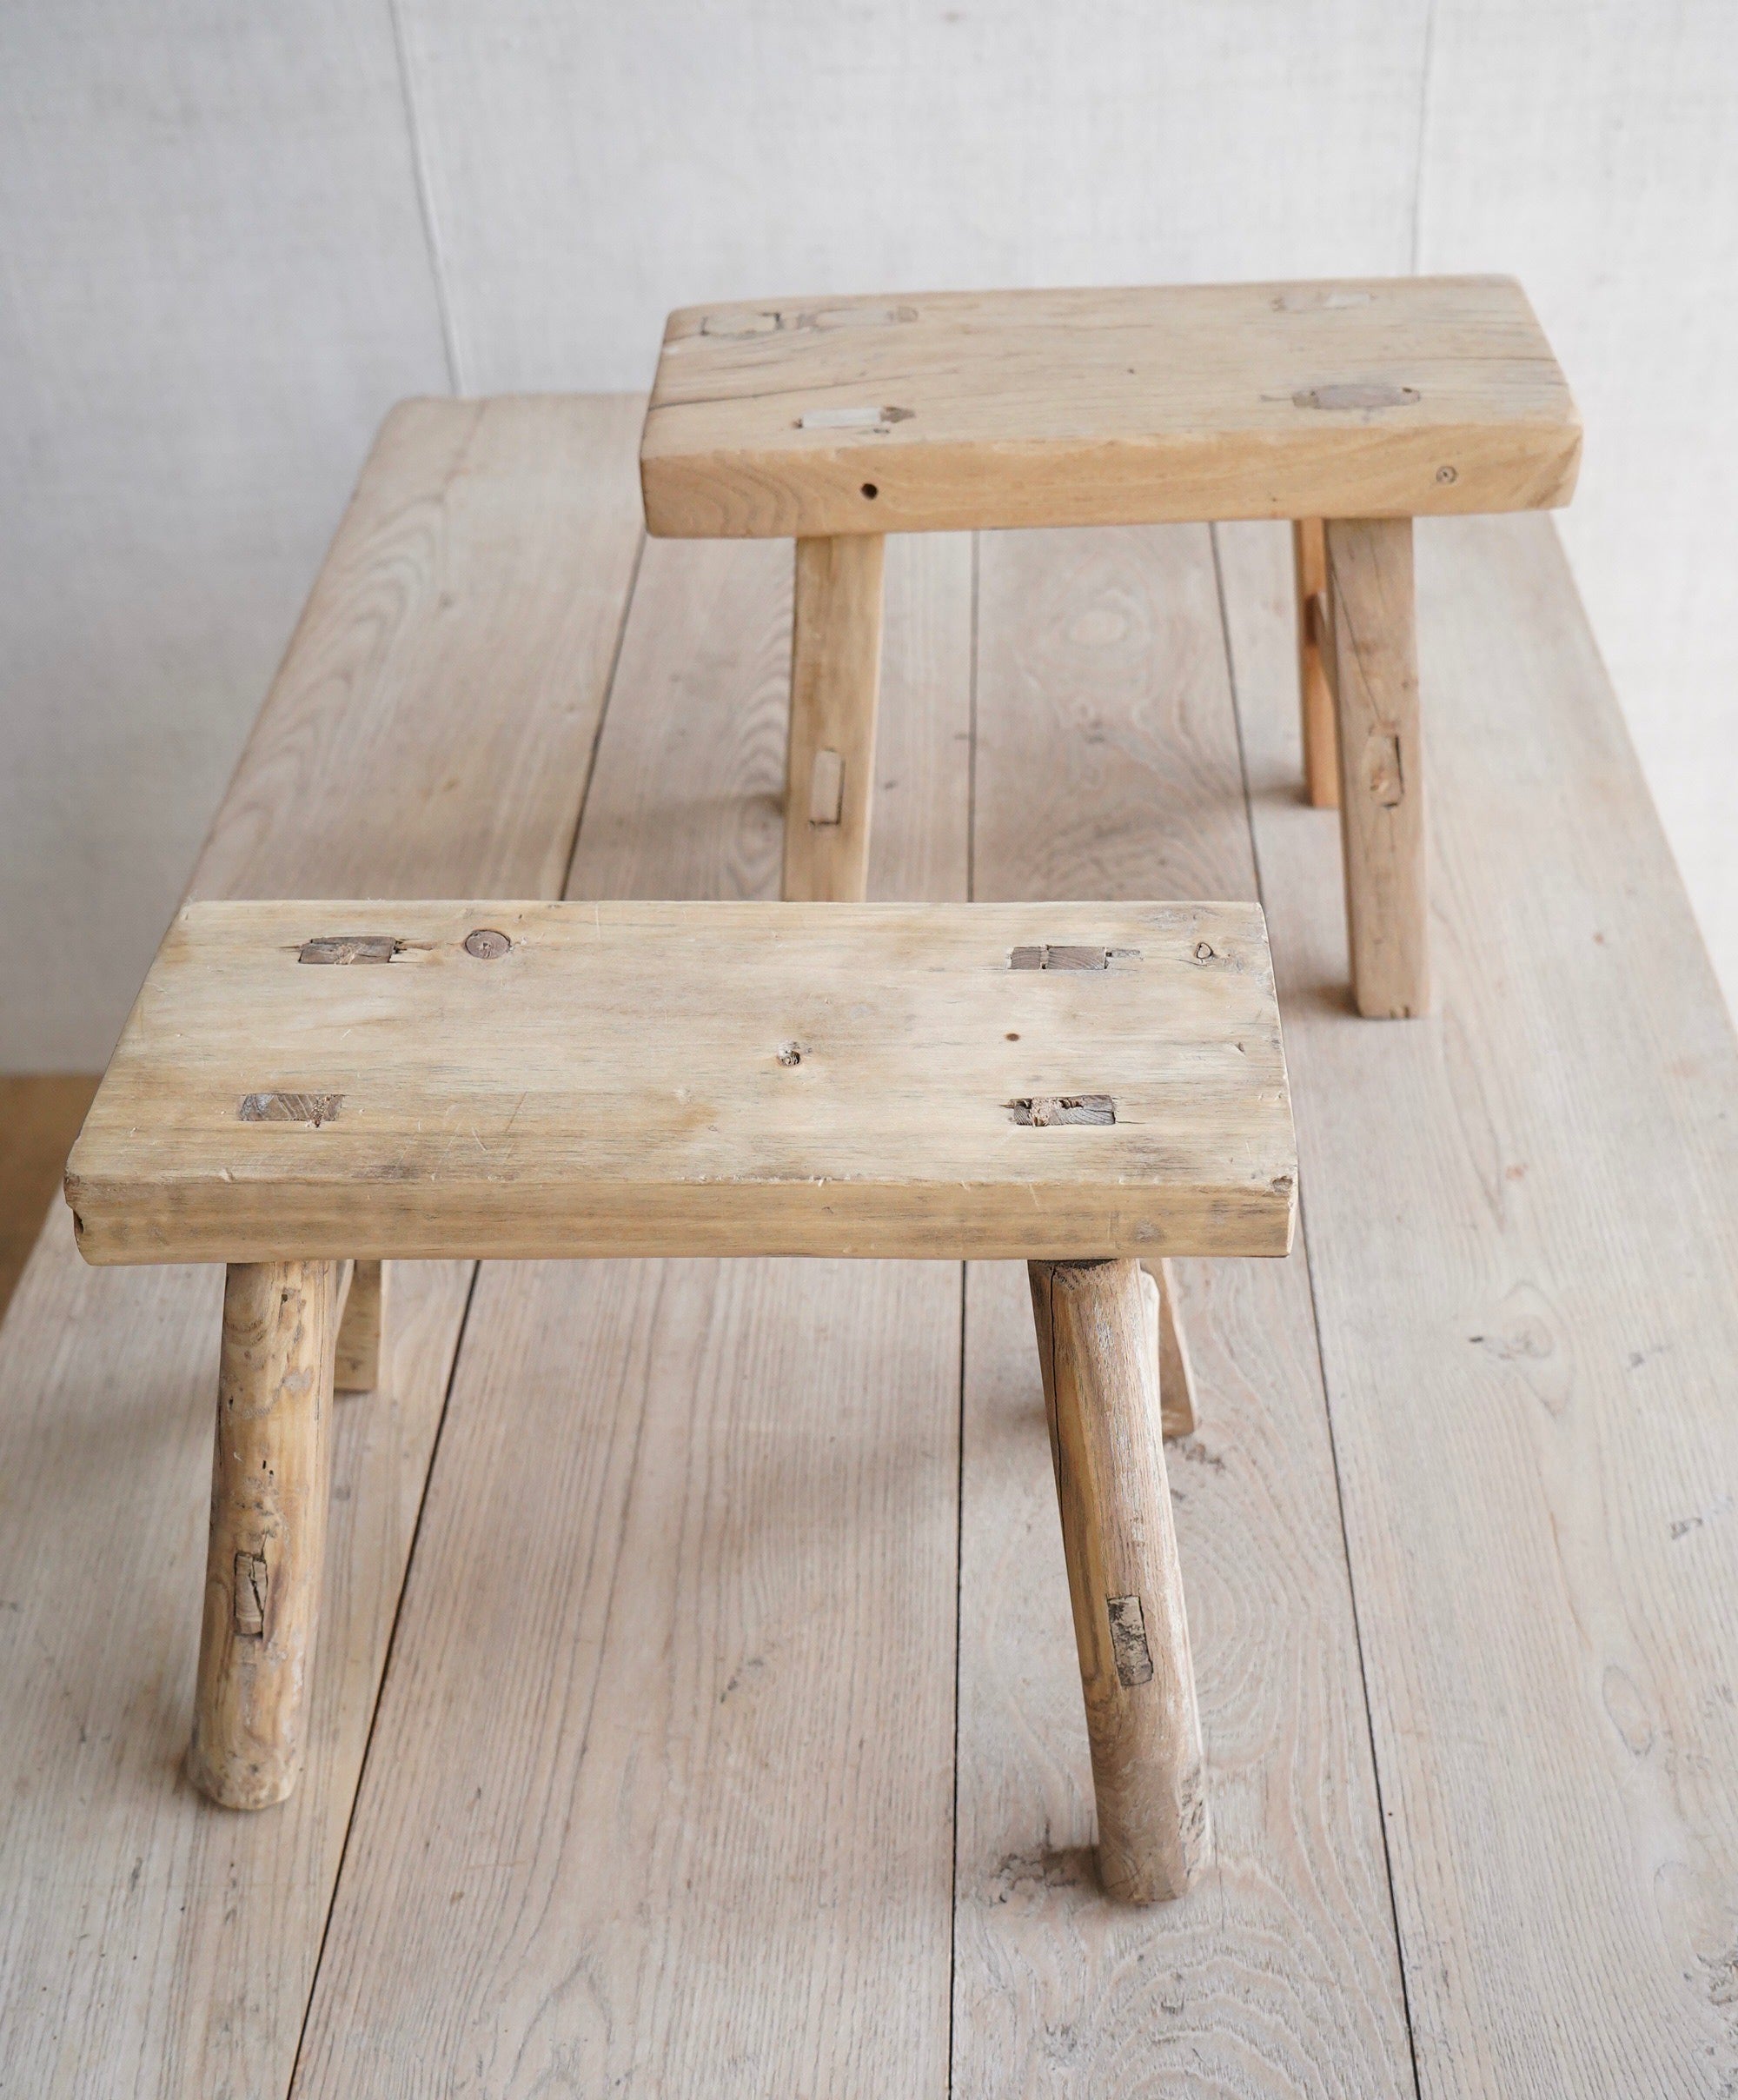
[(1120, 1542)]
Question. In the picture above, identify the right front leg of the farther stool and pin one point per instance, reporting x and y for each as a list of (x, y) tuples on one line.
[(1376, 684)]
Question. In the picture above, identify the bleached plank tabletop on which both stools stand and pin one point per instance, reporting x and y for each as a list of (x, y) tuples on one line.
[(729, 1738)]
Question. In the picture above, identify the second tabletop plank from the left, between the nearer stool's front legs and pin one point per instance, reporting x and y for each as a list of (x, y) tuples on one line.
[(664, 1776)]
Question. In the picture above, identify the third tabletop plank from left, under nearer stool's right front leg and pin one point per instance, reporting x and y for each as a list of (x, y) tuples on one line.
[(1109, 765)]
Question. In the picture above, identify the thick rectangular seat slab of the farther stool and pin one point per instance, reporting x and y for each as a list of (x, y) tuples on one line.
[(946, 411)]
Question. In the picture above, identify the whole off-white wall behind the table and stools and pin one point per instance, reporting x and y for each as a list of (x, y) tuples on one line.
[(232, 236)]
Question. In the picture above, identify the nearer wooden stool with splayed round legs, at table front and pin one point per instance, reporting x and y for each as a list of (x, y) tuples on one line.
[(310, 1085)]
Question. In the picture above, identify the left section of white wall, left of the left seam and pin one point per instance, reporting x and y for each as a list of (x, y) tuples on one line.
[(213, 285)]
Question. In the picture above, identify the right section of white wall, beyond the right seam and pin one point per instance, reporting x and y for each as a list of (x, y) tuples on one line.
[(1592, 148)]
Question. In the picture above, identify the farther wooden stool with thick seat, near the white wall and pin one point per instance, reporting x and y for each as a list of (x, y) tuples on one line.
[(1351, 408)]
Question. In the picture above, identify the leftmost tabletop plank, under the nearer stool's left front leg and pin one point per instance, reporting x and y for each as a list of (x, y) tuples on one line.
[(150, 1944)]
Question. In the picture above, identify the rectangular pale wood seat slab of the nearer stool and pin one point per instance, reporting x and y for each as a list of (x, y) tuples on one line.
[(421, 1080)]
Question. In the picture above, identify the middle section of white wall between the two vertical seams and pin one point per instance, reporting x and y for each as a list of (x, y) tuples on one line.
[(595, 167)]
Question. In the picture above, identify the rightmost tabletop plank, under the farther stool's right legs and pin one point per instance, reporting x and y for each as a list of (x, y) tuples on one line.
[(1523, 1238)]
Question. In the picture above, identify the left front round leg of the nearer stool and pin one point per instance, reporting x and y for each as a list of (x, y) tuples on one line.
[(268, 1545)]
